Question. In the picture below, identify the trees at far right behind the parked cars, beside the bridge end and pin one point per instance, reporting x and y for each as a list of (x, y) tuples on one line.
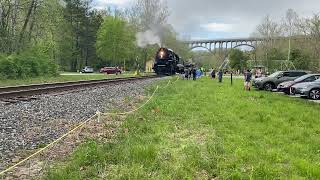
[(299, 44)]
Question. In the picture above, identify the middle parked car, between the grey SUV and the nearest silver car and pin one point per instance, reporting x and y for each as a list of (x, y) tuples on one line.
[(286, 86)]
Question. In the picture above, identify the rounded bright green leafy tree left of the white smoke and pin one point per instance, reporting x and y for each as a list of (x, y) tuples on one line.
[(115, 40)]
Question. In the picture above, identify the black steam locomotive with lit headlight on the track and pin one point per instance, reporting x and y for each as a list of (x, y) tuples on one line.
[(167, 62)]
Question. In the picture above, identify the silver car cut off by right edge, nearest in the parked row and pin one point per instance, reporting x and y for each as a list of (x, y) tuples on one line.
[(308, 89)]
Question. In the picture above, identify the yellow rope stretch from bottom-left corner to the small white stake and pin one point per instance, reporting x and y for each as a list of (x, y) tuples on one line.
[(49, 145)]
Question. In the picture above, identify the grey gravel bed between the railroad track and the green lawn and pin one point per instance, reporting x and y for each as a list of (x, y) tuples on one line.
[(29, 125)]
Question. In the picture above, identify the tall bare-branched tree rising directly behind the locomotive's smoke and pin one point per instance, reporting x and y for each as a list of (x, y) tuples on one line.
[(152, 16)]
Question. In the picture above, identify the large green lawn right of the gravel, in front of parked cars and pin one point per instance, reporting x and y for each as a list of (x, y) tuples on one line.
[(206, 130)]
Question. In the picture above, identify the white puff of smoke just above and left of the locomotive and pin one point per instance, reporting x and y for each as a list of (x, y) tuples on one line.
[(148, 37)]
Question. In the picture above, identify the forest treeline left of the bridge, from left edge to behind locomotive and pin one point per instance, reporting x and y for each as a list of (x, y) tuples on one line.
[(41, 37)]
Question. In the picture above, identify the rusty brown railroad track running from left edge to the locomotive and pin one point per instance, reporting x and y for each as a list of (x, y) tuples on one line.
[(24, 93)]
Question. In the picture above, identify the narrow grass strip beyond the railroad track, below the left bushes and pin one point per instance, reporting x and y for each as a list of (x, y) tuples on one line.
[(61, 78)]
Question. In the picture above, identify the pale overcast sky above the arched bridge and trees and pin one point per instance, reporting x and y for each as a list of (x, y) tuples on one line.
[(211, 19)]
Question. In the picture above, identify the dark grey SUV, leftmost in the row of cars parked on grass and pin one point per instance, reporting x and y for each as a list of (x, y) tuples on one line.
[(271, 82)]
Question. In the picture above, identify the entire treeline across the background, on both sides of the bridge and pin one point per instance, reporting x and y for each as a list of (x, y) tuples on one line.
[(42, 37)]
